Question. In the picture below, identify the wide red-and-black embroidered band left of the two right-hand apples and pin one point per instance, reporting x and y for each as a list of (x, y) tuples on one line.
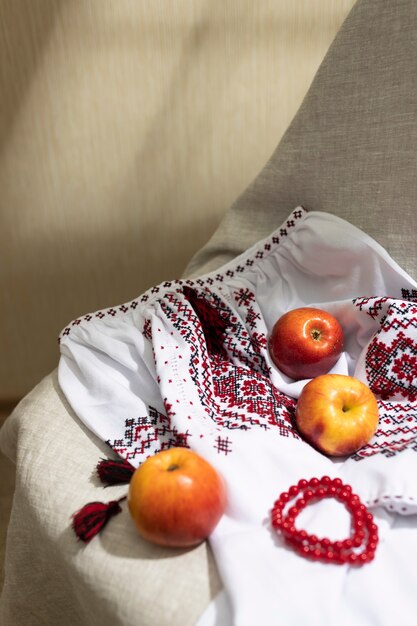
[(225, 365)]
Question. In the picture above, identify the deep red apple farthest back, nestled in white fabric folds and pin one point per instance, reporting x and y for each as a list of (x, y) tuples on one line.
[(306, 342)]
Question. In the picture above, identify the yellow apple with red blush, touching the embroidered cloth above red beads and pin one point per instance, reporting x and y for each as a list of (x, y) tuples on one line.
[(337, 414)]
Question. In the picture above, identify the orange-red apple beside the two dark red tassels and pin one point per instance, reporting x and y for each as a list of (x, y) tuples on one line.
[(176, 498)]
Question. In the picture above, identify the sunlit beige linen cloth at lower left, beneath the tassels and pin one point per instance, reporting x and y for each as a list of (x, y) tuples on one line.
[(51, 578)]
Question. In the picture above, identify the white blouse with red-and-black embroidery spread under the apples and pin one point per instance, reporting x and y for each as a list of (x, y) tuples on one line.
[(187, 364)]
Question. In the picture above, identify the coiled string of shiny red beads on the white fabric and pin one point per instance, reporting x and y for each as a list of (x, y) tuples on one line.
[(358, 549)]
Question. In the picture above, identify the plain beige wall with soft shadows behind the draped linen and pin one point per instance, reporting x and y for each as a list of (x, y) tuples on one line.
[(127, 127)]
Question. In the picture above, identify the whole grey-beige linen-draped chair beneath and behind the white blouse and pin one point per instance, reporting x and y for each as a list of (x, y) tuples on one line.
[(349, 151)]
